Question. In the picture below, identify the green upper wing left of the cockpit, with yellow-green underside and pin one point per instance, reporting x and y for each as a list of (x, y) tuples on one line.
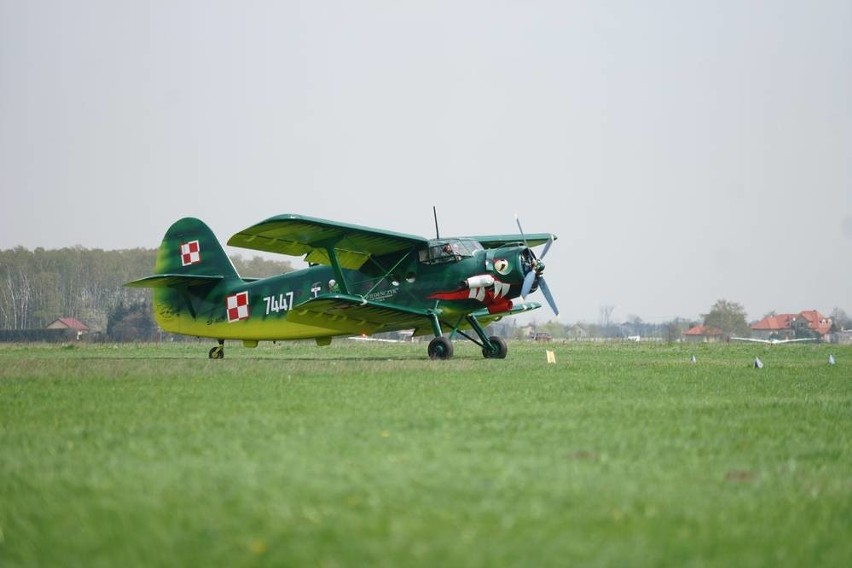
[(297, 235)]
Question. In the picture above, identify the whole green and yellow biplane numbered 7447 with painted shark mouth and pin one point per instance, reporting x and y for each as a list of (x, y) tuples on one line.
[(360, 281)]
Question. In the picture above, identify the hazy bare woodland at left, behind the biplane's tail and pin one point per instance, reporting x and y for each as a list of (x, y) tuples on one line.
[(39, 286)]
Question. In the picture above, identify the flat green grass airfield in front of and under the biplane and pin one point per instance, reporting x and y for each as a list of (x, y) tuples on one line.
[(368, 454)]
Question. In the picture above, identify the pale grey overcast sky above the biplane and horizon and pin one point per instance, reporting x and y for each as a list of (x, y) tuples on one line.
[(682, 151)]
